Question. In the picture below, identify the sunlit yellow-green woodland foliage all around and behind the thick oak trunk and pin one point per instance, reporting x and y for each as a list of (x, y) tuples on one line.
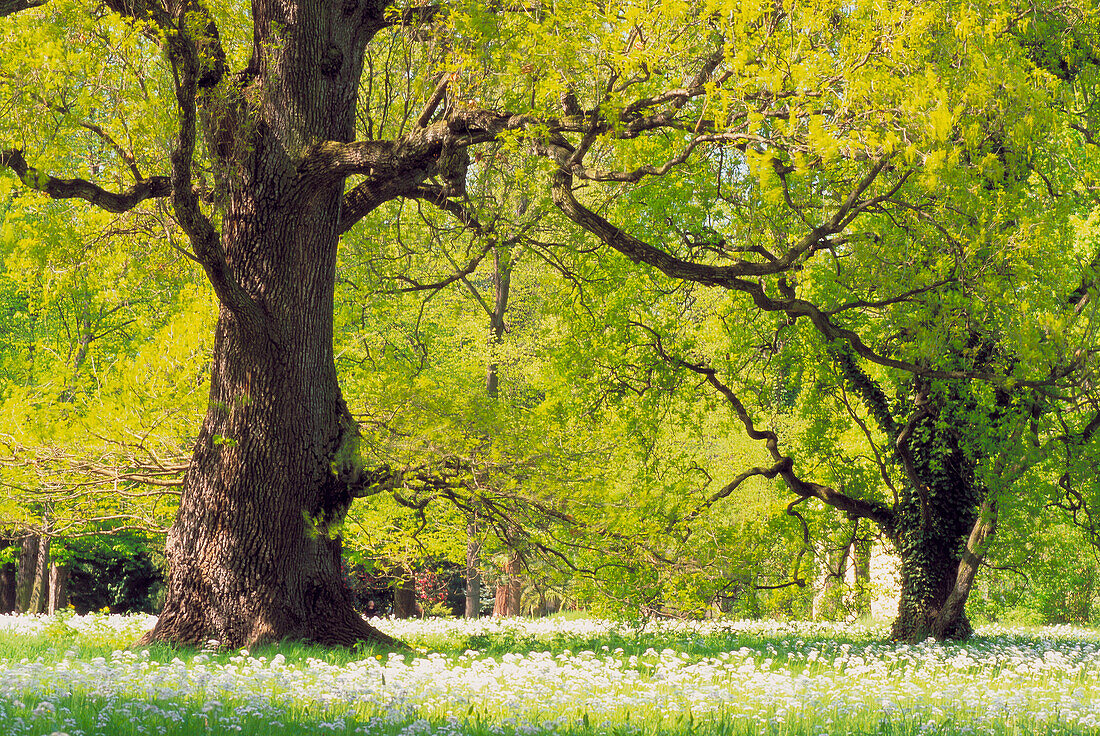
[(555, 419)]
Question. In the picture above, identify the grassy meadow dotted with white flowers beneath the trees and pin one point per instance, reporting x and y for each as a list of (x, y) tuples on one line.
[(76, 676)]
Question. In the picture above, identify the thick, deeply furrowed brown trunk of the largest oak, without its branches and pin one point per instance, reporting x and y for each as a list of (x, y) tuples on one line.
[(255, 554)]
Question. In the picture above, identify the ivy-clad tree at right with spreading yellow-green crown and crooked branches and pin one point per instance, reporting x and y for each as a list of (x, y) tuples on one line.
[(885, 211)]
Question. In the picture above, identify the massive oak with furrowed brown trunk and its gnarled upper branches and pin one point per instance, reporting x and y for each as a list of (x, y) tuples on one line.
[(257, 180)]
